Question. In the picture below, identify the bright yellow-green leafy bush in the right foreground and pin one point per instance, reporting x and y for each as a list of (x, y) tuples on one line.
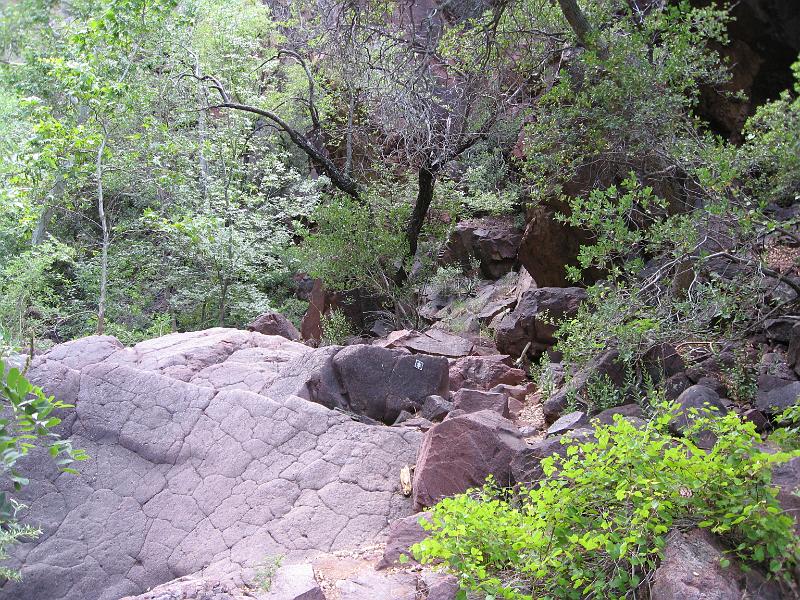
[(596, 526)]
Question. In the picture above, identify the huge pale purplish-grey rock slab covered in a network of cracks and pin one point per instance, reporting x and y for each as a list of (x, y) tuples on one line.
[(194, 467)]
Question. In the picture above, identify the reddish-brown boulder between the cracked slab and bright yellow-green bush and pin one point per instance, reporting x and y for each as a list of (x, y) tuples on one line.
[(461, 452)]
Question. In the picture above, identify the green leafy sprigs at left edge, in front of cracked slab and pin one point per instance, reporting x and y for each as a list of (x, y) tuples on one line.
[(27, 422)]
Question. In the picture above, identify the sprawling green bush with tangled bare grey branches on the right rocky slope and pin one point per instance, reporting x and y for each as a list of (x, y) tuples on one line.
[(670, 277)]
